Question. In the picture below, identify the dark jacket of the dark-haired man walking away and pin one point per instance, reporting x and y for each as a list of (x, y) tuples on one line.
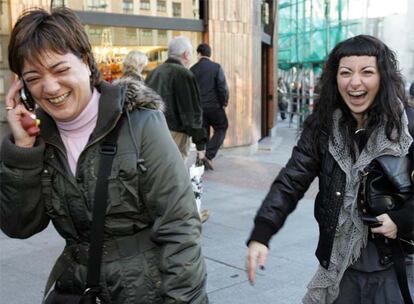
[(211, 81)]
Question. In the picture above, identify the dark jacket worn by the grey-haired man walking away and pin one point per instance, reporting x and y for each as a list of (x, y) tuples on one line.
[(178, 88)]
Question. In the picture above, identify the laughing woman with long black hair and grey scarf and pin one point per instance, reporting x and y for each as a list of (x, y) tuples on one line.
[(362, 119)]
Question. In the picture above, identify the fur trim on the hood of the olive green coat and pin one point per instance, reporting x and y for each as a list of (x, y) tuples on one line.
[(139, 96)]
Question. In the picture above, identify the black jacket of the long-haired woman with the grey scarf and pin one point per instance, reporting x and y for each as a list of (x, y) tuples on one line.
[(312, 159)]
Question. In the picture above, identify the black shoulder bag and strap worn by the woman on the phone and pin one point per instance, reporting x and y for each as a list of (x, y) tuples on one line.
[(91, 294)]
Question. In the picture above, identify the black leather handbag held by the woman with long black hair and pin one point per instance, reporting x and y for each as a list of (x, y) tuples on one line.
[(386, 185)]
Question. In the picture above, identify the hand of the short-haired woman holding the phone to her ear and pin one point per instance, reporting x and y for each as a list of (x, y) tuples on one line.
[(15, 113)]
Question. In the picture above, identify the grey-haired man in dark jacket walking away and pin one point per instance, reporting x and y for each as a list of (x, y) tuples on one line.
[(178, 88)]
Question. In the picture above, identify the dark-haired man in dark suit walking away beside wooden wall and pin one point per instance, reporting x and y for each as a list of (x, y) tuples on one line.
[(214, 95)]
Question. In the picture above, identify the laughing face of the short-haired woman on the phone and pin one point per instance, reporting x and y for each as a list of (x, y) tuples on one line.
[(59, 84)]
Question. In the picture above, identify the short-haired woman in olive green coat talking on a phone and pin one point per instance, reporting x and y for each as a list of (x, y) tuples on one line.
[(151, 238)]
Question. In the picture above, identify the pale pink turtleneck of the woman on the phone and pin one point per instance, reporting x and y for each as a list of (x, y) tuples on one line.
[(75, 134)]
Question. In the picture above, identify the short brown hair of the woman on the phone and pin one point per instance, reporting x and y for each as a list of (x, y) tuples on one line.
[(60, 31)]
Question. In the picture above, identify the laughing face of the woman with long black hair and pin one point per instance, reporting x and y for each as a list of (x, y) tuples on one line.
[(358, 82)]
